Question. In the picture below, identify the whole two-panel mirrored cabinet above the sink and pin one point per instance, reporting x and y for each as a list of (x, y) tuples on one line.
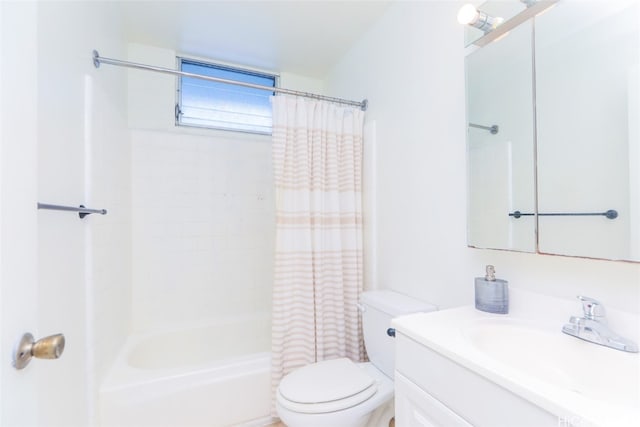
[(577, 139)]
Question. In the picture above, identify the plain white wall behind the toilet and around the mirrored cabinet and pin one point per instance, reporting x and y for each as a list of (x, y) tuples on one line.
[(410, 66)]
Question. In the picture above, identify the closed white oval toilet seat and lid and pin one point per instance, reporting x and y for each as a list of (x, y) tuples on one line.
[(327, 386)]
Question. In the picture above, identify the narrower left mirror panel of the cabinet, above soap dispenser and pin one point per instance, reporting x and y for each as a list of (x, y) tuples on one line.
[(500, 162)]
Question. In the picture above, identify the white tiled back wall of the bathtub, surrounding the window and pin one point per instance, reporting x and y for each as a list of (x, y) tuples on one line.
[(203, 208)]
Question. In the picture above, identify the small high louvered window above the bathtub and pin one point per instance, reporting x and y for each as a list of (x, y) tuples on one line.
[(217, 105)]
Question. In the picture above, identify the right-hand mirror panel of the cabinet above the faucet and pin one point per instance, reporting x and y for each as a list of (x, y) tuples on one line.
[(588, 128)]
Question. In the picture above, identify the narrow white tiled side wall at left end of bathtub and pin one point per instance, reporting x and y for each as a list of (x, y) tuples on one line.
[(108, 185)]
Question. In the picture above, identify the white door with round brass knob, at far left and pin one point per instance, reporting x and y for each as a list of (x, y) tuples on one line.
[(18, 220)]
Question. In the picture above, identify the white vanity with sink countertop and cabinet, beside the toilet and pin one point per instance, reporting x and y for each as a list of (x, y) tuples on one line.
[(464, 367)]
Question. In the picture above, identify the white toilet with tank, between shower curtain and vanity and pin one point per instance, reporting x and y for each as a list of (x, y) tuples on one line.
[(341, 393)]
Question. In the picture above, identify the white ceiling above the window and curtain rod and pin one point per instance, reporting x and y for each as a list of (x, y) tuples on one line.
[(305, 37)]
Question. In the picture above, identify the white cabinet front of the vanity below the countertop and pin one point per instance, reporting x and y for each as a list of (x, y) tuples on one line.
[(432, 390)]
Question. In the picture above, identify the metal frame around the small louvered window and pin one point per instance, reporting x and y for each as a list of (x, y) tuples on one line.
[(225, 67)]
